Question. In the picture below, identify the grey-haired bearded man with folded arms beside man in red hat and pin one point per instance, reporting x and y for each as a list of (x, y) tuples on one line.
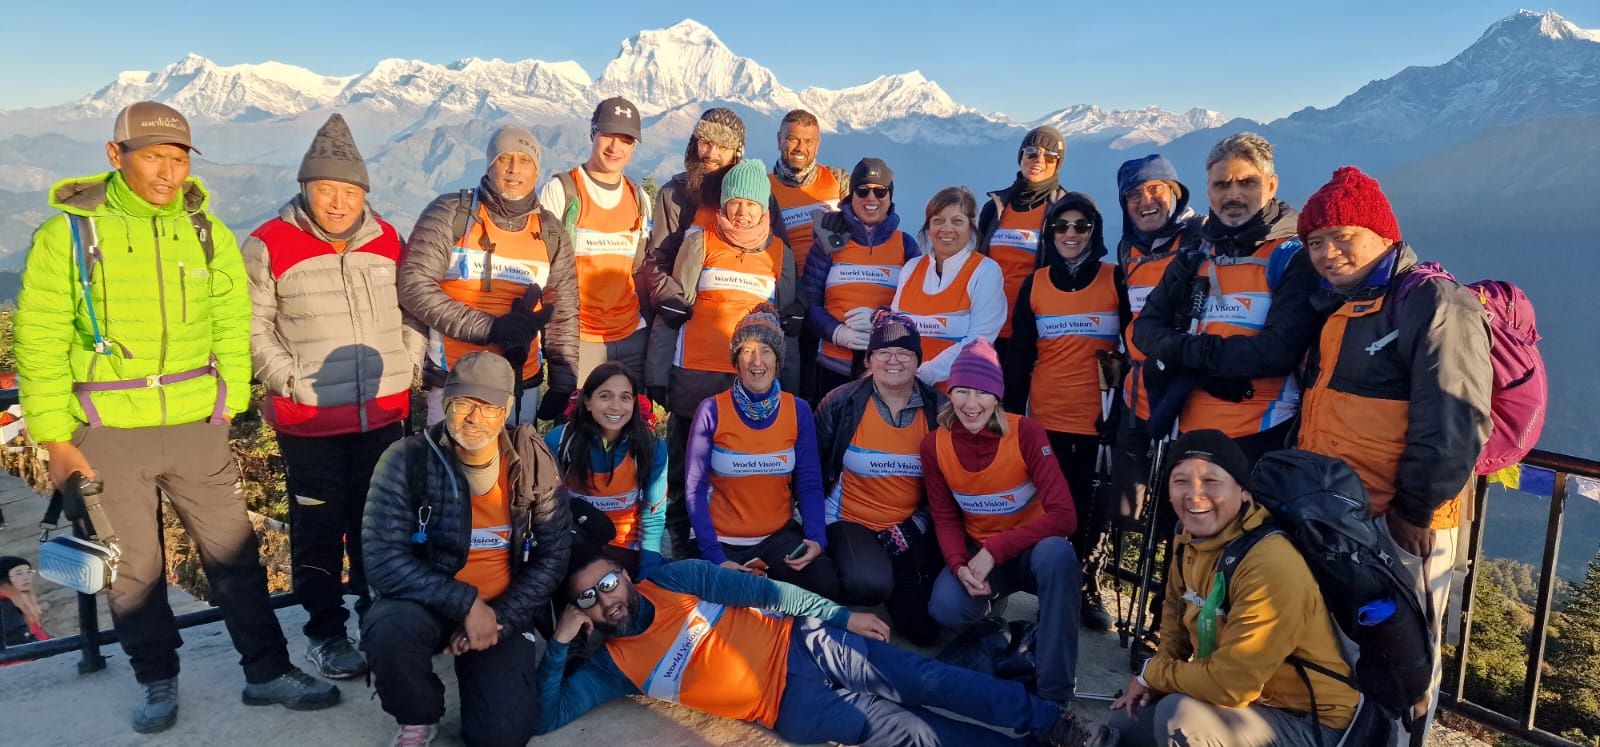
[(1230, 322)]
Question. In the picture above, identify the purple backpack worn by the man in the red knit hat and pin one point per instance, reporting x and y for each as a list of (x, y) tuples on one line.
[(1521, 393)]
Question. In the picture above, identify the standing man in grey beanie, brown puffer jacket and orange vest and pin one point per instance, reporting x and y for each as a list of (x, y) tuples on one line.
[(490, 270)]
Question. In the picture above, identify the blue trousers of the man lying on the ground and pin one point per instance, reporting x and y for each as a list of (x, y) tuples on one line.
[(846, 689)]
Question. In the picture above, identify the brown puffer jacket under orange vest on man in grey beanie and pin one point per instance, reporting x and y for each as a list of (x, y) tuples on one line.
[(428, 258)]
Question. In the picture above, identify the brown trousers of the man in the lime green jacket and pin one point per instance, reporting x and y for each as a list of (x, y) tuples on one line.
[(194, 468)]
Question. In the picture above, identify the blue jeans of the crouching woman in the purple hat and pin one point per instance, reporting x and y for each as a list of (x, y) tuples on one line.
[(1052, 572)]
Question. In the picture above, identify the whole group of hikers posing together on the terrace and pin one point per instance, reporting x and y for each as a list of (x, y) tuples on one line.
[(858, 415)]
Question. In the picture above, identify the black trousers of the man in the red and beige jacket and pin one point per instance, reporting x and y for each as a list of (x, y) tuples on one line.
[(329, 479)]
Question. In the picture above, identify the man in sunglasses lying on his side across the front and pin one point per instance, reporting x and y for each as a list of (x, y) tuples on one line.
[(708, 639)]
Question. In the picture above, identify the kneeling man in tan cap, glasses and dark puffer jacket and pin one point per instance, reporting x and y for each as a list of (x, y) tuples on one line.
[(465, 540)]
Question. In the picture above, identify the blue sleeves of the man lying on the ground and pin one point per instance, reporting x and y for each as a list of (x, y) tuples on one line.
[(599, 681)]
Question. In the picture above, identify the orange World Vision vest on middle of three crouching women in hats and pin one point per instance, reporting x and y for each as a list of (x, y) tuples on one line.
[(881, 482)]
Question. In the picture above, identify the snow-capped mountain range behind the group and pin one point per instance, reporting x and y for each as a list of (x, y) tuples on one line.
[(1490, 156)]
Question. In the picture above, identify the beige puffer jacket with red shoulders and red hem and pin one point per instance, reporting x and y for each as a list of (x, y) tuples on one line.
[(327, 330)]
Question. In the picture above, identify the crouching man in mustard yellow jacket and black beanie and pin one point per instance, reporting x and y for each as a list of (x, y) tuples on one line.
[(1233, 684)]
